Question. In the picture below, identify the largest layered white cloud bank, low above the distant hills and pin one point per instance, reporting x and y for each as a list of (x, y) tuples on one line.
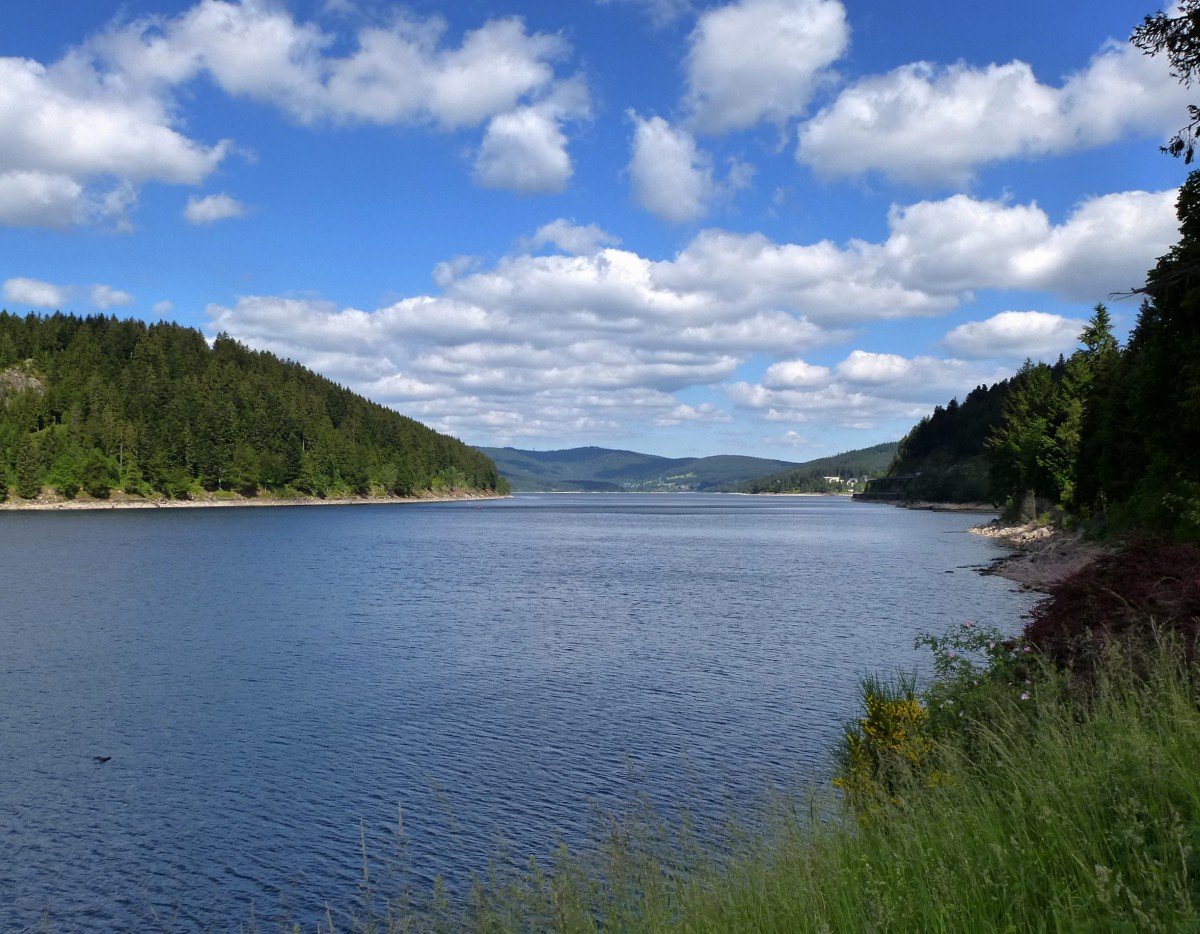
[(596, 336)]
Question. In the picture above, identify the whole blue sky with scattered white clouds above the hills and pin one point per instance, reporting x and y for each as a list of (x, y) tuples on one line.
[(783, 229)]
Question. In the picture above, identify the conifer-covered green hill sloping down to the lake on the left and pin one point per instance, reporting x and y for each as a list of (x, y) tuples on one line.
[(99, 404)]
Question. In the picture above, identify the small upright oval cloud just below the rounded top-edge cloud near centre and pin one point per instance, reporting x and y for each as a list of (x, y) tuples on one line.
[(671, 178)]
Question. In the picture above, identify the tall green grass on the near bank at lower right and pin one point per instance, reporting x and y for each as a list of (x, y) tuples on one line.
[(1073, 810)]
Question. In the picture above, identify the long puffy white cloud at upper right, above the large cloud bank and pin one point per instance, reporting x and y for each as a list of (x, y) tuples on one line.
[(935, 127)]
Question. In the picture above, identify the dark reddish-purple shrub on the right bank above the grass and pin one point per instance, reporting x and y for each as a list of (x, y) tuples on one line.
[(1125, 596)]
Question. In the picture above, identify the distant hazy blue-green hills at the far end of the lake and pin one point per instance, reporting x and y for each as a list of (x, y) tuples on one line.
[(604, 470)]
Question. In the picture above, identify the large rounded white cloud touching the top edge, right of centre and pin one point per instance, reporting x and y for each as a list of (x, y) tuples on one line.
[(757, 61)]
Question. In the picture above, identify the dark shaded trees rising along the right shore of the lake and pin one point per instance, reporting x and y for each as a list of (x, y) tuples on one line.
[(1109, 436)]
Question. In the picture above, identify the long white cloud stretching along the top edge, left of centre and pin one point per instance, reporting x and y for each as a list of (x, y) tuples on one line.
[(404, 73)]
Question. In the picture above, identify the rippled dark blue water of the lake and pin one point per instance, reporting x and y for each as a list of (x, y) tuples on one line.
[(268, 680)]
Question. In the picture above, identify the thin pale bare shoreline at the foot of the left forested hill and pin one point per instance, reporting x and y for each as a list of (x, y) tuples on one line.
[(56, 502)]
